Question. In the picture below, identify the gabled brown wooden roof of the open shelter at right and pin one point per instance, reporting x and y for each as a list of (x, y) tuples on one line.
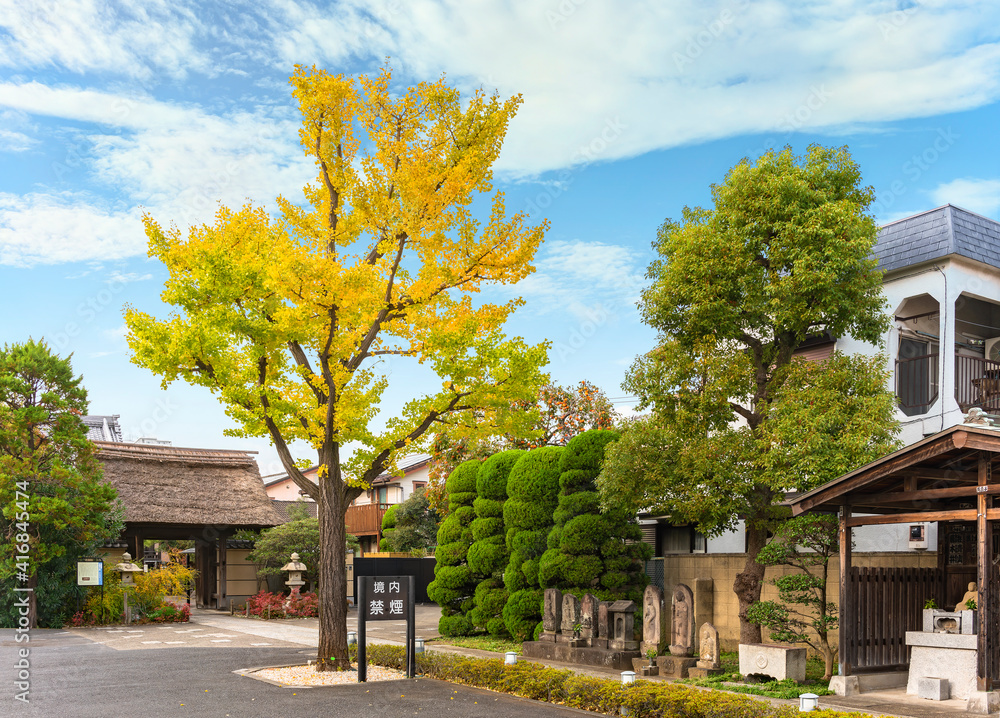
[(935, 476)]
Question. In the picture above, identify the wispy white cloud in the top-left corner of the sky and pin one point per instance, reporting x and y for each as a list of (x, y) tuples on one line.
[(134, 39)]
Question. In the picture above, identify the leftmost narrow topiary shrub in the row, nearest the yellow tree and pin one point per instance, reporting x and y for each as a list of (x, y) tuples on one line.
[(454, 582)]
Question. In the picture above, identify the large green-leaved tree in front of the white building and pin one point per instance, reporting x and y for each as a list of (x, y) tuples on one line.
[(783, 255)]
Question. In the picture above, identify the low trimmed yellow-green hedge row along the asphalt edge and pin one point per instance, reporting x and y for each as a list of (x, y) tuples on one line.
[(642, 699)]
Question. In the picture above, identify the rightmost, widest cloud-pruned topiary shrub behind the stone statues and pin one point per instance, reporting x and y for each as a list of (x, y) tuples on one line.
[(589, 551)]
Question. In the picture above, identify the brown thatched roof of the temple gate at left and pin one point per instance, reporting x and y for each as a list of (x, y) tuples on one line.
[(180, 486)]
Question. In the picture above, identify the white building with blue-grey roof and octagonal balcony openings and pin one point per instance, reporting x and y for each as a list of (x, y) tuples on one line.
[(942, 286)]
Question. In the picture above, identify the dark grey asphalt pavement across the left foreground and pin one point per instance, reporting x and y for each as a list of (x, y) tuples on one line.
[(72, 676)]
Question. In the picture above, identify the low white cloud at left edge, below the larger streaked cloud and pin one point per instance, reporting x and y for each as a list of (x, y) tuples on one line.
[(51, 229)]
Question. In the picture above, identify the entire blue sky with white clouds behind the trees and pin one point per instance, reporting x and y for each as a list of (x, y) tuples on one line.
[(631, 110)]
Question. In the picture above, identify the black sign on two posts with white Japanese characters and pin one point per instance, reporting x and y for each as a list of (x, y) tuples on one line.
[(386, 598)]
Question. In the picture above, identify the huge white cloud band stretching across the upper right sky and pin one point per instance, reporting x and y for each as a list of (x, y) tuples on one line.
[(602, 81)]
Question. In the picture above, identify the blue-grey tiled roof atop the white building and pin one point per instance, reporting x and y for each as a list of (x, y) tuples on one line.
[(938, 233)]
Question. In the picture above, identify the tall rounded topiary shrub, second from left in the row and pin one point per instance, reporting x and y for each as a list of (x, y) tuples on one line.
[(488, 556)]
